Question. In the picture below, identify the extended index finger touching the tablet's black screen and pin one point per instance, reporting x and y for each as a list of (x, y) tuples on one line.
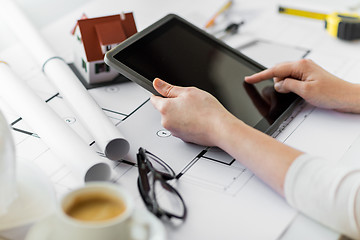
[(281, 70)]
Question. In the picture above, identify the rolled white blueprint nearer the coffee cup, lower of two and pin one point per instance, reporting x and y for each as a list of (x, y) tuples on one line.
[(61, 139)]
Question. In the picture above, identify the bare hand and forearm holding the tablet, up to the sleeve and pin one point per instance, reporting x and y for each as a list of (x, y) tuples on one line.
[(196, 116)]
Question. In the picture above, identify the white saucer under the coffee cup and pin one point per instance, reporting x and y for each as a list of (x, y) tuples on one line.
[(43, 229)]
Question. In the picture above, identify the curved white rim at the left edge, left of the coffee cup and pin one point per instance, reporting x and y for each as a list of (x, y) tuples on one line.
[(36, 197)]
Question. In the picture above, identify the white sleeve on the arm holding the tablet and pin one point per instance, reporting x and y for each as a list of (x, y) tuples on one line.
[(326, 192)]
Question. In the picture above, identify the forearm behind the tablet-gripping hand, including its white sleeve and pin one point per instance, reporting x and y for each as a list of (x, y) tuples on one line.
[(326, 192)]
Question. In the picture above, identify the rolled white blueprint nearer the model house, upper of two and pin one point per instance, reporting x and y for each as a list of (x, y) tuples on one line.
[(106, 135)]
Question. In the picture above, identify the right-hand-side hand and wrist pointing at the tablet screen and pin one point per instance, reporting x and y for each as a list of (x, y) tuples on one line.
[(311, 82)]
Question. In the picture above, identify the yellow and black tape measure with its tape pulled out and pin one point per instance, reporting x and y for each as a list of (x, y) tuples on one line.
[(345, 26)]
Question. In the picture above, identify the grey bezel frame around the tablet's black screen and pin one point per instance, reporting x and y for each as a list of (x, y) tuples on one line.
[(148, 84)]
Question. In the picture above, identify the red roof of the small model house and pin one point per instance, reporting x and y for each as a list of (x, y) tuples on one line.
[(104, 31)]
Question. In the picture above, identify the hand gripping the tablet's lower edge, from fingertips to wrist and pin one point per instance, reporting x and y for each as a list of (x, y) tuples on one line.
[(190, 113)]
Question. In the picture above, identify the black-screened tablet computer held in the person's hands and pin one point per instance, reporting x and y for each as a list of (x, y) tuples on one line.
[(182, 54)]
